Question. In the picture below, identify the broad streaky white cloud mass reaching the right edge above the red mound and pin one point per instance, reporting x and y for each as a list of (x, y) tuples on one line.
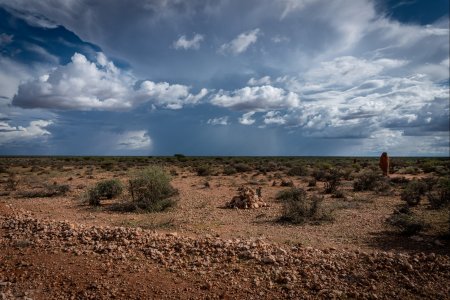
[(378, 109)]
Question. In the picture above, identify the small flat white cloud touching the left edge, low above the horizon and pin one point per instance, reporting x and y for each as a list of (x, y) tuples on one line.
[(35, 129)]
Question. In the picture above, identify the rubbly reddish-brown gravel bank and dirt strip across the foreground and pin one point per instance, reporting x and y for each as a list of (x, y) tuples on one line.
[(45, 259)]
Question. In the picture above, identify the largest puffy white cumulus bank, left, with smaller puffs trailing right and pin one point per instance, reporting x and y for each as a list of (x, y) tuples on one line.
[(100, 85)]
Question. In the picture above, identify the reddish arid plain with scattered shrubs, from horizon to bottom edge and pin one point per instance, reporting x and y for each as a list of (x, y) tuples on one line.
[(369, 236)]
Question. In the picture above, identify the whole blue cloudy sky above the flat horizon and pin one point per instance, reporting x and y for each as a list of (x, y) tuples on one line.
[(224, 77)]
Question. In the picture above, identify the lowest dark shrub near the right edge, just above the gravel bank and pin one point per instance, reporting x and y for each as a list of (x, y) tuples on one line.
[(407, 223)]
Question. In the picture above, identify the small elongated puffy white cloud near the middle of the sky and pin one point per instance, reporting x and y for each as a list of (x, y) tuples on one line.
[(259, 98)]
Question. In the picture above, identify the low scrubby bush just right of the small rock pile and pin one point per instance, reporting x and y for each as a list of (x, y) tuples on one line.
[(299, 209)]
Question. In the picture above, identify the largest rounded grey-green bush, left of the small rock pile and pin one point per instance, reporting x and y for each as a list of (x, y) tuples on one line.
[(151, 190)]
